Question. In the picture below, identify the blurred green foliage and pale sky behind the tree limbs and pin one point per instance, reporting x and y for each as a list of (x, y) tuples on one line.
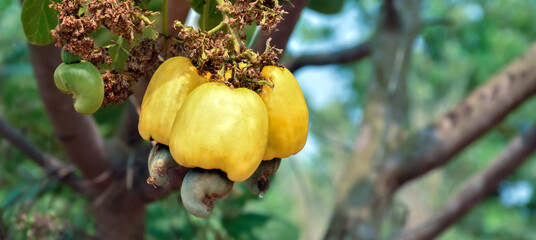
[(449, 60)]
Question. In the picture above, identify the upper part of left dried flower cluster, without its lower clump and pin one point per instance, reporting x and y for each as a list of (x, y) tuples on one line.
[(121, 17)]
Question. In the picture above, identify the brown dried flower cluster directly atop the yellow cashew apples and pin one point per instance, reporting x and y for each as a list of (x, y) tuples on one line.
[(218, 54)]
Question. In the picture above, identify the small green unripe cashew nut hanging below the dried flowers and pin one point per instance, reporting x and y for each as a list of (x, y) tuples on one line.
[(84, 81)]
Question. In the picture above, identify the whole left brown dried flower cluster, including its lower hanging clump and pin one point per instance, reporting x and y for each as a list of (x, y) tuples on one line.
[(79, 18)]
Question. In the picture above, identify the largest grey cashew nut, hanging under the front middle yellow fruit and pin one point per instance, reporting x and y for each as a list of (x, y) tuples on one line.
[(201, 187)]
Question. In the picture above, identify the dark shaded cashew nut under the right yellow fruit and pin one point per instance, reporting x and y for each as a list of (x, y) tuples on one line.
[(259, 182)]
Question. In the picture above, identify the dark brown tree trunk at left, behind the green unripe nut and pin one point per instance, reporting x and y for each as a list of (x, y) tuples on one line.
[(119, 214)]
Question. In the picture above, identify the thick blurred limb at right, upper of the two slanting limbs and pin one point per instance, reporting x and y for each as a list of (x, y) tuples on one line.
[(438, 143)]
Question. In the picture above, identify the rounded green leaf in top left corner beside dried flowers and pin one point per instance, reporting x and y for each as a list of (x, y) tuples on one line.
[(37, 21)]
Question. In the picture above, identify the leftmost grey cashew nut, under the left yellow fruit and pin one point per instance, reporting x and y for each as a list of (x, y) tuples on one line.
[(160, 160)]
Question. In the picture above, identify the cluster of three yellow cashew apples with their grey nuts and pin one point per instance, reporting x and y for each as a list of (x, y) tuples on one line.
[(224, 135)]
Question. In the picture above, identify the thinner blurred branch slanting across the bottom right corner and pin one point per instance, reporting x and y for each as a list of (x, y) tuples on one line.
[(477, 188)]
